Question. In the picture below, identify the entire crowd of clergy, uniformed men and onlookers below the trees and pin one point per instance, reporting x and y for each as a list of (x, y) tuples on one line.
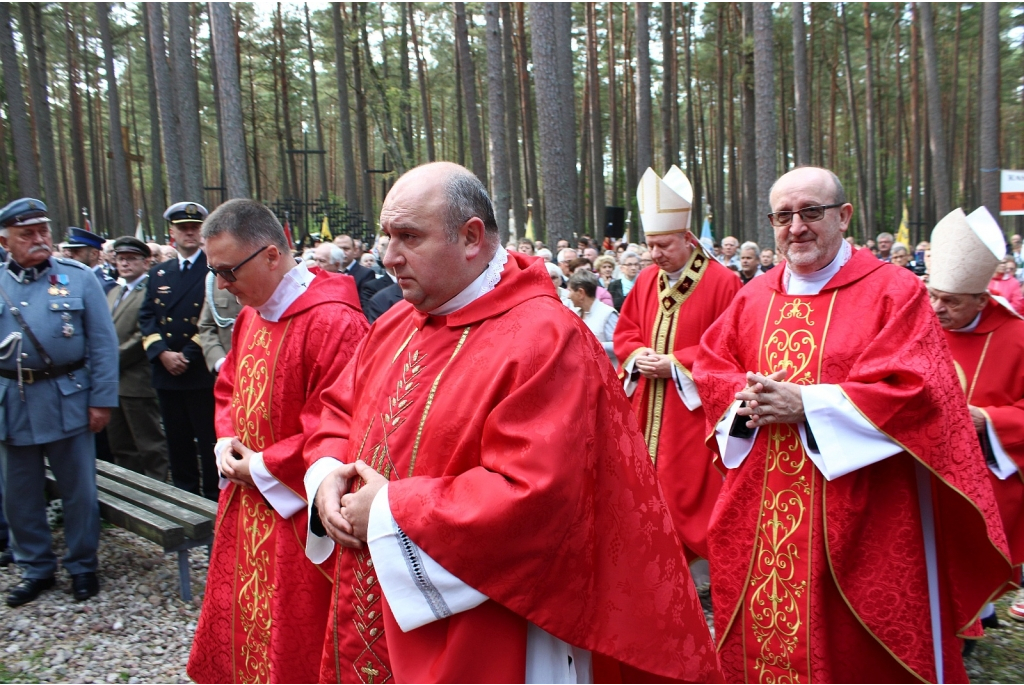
[(440, 459)]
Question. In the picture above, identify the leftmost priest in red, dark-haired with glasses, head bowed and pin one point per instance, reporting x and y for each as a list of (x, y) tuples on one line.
[(267, 605)]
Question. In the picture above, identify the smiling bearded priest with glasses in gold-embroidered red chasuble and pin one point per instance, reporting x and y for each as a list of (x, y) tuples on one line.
[(857, 536)]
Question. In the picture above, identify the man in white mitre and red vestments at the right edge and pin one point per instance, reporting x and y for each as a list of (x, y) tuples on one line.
[(987, 338)]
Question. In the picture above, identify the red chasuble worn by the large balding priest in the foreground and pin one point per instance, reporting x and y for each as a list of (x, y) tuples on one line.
[(517, 464)]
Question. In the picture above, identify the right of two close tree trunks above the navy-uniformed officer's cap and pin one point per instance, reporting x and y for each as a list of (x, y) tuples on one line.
[(186, 92)]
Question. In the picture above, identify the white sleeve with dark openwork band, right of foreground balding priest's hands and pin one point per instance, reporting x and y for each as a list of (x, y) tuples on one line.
[(418, 589)]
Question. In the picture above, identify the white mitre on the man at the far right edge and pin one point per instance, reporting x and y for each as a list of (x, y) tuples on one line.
[(966, 250)]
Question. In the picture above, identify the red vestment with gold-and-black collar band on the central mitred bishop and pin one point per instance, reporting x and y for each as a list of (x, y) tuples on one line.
[(671, 322)]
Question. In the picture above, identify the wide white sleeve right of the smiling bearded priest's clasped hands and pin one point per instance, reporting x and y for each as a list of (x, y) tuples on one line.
[(846, 440)]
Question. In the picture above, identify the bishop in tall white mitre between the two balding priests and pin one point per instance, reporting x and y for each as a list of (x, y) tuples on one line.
[(658, 336)]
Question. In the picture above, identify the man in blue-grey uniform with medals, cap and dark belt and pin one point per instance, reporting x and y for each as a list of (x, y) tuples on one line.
[(59, 380)]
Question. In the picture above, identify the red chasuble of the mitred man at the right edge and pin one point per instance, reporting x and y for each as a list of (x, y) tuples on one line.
[(991, 361)]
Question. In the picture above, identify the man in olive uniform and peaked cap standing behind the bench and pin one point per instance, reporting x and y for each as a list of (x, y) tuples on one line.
[(137, 438)]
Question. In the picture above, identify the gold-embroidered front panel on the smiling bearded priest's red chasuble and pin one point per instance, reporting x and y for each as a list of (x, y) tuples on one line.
[(777, 604)]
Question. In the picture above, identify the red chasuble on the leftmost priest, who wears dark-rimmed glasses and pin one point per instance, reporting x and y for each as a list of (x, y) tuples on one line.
[(267, 606)]
